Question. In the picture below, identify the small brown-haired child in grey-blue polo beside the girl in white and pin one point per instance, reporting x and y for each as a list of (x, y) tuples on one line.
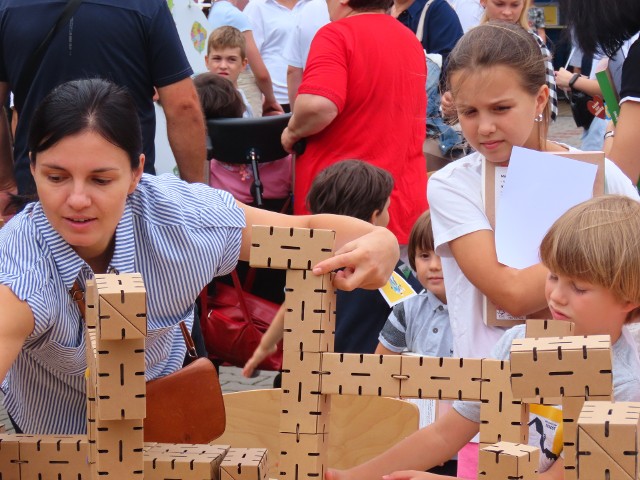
[(420, 324)]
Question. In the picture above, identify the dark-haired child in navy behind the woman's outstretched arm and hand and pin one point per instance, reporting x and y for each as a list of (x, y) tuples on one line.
[(356, 189)]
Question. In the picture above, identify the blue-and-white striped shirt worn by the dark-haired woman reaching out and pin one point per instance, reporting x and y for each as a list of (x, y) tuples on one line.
[(177, 235)]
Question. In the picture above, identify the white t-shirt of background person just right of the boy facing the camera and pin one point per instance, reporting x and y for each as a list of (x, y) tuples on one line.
[(273, 24)]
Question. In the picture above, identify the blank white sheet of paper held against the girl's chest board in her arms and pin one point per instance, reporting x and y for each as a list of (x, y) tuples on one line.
[(540, 187)]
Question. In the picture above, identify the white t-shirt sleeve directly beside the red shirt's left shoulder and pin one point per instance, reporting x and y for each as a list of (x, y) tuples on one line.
[(311, 18)]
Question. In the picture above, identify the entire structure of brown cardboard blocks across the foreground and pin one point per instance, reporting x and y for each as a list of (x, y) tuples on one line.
[(550, 366)]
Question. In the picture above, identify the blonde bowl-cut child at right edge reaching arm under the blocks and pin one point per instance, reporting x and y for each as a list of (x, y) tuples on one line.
[(593, 255)]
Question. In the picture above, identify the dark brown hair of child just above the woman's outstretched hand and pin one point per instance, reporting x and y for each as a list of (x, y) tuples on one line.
[(350, 187)]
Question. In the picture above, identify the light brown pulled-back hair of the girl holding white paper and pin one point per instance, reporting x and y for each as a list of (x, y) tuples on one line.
[(499, 43)]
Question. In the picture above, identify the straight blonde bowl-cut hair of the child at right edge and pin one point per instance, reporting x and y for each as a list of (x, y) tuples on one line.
[(598, 241)]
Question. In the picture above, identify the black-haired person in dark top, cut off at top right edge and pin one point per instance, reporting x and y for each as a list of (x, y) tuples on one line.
[(604, 27)]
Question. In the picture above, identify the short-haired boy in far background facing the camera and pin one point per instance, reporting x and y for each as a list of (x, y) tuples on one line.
[(227, 57)]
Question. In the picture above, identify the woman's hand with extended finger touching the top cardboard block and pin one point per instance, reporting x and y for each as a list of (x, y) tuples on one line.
[(367, 262)]
